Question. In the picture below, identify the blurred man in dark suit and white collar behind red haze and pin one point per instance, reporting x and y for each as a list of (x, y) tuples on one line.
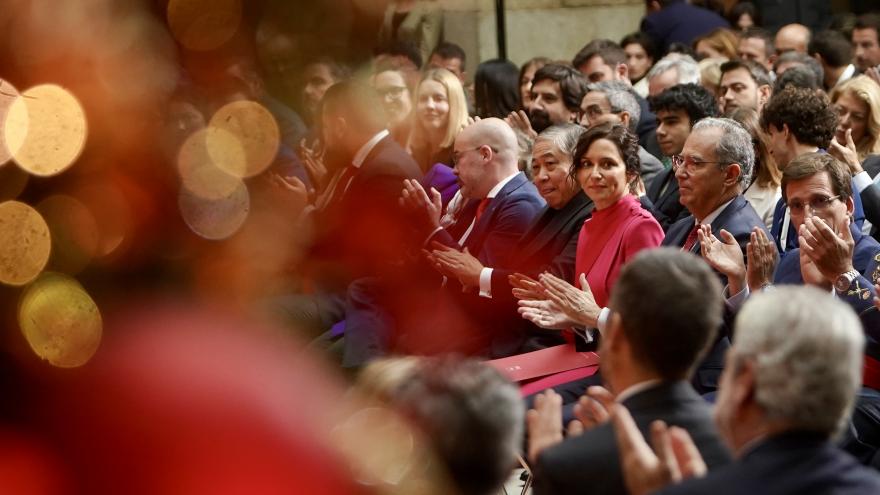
[(359, 229)]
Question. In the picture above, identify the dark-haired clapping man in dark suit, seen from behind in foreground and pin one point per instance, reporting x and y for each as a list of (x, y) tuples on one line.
[(644, 368)]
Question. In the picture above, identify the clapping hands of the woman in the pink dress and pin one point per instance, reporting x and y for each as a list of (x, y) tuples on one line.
[(553, 303)]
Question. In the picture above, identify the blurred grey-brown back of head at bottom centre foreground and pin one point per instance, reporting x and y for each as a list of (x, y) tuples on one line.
[(473, 415)]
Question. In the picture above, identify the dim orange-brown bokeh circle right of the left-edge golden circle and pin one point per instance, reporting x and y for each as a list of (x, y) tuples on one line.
[(74, 230)]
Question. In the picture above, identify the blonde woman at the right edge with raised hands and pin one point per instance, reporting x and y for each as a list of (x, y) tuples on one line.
[(858, 105)]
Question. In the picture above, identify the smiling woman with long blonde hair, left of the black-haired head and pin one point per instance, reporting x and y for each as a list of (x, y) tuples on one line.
[(440, 114)]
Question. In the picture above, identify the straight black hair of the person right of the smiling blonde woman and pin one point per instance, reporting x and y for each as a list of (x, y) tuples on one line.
[(496, 88)]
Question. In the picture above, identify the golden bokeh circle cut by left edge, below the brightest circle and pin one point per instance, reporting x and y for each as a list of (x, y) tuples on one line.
[(25, 243)]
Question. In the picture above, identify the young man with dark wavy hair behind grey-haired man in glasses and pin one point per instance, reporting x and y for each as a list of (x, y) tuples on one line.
[(678, 109)]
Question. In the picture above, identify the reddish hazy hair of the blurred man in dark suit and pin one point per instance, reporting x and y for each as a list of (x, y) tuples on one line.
[(358, 102)]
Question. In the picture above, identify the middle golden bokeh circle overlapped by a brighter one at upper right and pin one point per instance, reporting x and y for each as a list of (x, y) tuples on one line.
[(199, 174)]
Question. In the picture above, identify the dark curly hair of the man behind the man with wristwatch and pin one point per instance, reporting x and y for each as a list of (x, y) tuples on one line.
[(808, 115)]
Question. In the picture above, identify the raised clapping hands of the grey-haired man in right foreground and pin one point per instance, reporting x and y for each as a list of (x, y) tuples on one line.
[(674, 457)]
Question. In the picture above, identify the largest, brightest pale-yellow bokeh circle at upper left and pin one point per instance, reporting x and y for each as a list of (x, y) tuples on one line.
[(45, 130)]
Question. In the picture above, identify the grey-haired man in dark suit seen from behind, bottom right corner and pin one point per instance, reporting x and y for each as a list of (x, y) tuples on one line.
[(788, 387)]
